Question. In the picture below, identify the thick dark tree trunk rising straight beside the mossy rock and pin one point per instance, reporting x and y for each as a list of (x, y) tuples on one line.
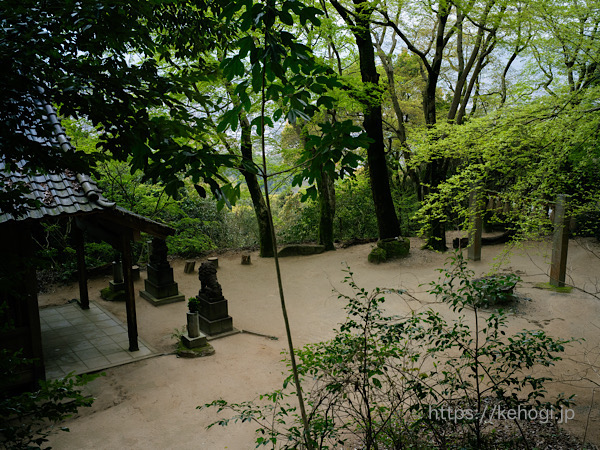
[(387, 220)]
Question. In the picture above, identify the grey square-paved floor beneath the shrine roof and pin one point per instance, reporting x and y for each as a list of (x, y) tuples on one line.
[(82, 341)]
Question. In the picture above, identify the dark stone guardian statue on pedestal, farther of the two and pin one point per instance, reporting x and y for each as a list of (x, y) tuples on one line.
[(160, 287)]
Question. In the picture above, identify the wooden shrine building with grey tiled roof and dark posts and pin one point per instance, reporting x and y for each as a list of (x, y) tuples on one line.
[(76, 200)]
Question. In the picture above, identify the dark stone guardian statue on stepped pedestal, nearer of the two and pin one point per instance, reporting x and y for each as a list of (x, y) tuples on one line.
[(212, 308)]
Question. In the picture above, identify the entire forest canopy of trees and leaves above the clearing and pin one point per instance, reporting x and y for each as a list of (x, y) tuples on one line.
[(428, 100)]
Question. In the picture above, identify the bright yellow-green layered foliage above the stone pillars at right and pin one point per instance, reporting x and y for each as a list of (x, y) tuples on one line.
[(522, 158)]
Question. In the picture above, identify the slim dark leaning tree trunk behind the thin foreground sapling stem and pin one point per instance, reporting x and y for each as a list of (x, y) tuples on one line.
[(258, 200)]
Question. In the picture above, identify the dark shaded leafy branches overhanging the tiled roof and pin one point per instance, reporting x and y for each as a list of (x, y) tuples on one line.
[(139, 106)]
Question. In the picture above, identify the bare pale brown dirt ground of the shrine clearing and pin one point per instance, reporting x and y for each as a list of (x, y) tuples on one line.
[(152, 403)]
